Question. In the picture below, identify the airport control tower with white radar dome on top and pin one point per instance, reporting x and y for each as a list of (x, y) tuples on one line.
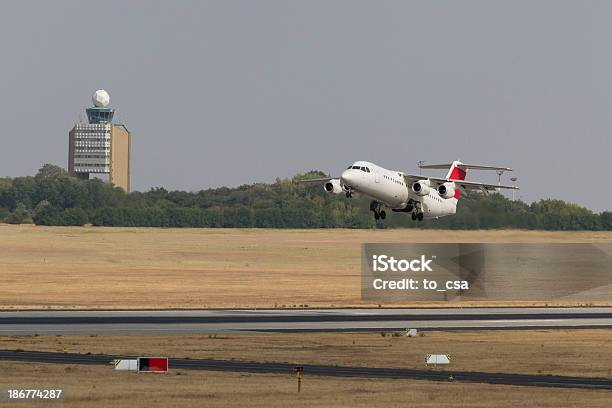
[(100, 146)]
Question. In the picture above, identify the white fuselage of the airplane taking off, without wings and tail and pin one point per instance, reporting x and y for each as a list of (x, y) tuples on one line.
[(389, 188)]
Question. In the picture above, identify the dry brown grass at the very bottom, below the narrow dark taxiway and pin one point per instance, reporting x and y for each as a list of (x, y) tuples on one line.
[(96, 386)]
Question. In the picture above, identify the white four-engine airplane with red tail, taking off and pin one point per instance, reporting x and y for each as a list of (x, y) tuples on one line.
[(422, 197)]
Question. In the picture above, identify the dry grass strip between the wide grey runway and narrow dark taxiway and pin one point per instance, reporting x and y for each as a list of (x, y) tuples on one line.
[(586, 353)]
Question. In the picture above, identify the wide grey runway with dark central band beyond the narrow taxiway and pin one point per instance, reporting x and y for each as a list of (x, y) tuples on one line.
[(279, 320)]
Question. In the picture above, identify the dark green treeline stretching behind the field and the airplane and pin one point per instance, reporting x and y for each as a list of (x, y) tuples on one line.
[(52, 197)]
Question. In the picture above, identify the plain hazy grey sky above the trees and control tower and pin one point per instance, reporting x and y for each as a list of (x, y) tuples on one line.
[(234, 92)]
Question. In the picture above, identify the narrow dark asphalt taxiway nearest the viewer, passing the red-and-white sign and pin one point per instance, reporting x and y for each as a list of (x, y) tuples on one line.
[(324, 370)]
